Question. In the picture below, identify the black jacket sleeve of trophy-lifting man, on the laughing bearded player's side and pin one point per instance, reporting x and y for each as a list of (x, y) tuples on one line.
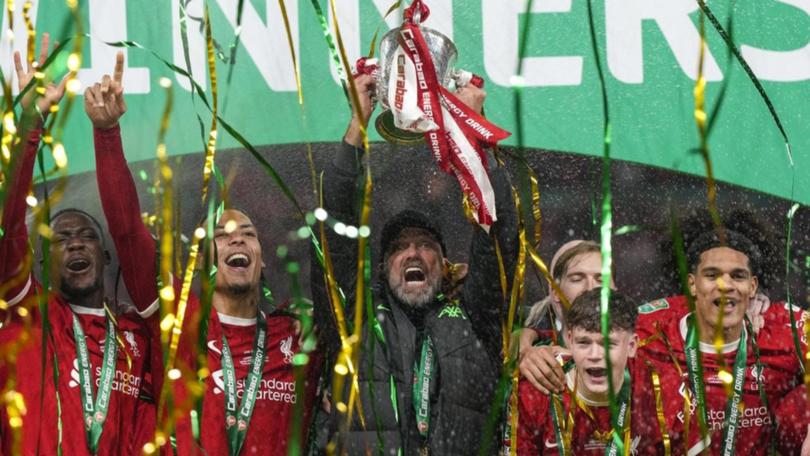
[(340, 185)]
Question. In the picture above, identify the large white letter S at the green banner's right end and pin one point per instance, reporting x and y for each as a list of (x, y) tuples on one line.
[(782, 66)]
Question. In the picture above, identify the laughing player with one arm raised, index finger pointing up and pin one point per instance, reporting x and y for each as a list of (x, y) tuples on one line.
[(249, 350)]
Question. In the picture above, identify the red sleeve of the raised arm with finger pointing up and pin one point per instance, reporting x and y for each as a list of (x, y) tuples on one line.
[(119, 199)]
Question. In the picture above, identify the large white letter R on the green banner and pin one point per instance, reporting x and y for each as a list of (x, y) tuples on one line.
[(623, 24)]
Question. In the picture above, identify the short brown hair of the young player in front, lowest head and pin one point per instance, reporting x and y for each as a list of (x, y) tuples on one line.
[(585, 312)]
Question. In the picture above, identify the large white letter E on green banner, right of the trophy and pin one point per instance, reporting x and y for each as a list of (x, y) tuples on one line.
[(500, 32)]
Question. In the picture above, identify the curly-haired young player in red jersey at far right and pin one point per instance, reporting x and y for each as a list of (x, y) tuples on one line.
[(758, 369)]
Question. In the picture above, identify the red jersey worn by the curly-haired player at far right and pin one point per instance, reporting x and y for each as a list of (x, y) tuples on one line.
[(664, 321)]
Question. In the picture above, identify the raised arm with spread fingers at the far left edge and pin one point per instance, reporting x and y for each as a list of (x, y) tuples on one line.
[(14, 240)]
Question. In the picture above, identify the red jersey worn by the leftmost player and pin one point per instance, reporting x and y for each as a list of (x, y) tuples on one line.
[(40, 433)]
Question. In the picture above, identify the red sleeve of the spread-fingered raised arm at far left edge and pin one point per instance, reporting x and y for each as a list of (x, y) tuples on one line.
[(14, 241)]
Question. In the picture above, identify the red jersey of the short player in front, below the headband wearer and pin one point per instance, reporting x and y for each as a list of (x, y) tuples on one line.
[(536, 435)]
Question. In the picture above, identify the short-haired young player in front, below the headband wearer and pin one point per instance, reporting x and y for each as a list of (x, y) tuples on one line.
[(580, 417)]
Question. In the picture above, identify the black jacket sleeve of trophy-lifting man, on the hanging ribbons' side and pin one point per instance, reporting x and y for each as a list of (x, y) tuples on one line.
[(482, 296)]
